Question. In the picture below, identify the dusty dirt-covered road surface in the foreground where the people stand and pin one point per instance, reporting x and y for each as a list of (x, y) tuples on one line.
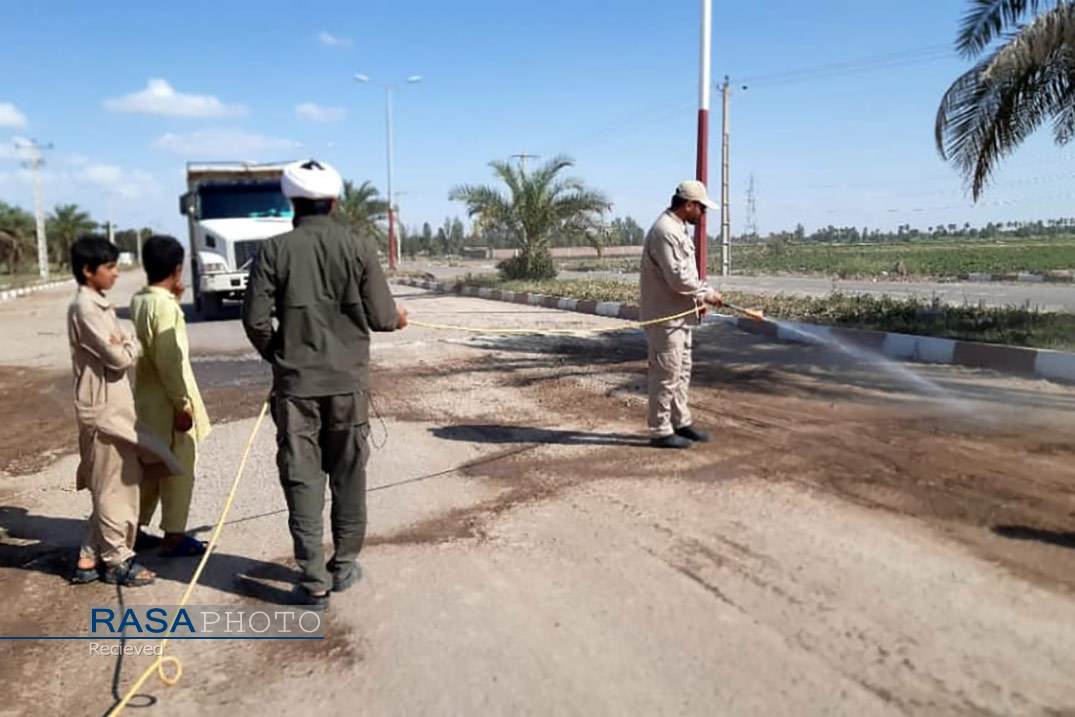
[(851, 543)]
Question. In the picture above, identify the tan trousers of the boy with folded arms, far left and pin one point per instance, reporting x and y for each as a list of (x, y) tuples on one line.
[(113, 477)]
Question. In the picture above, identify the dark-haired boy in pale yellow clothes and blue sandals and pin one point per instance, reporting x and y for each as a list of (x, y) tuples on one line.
[(166, 394)]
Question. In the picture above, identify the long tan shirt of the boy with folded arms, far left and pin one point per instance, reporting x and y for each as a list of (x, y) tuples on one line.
[(104, 401)]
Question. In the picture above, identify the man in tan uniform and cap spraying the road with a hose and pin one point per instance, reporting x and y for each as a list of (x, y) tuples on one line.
[(670, 285)]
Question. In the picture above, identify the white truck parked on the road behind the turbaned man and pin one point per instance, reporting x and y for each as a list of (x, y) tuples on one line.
[(232, 208)]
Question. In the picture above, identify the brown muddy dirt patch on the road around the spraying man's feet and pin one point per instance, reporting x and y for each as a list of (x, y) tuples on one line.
[(1006, 492)]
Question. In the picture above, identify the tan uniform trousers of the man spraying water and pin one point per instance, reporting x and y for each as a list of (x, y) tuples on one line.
[(670, 364)]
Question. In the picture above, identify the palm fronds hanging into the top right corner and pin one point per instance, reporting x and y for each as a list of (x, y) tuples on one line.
[(1019, 85)]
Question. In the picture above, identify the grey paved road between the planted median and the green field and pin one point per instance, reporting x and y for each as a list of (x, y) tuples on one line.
[(1047, 297)]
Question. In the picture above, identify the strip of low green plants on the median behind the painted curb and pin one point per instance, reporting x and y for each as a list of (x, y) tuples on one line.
[(1007, 325)]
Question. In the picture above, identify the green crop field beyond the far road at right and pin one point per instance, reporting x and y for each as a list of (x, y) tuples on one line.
[(941, 260)]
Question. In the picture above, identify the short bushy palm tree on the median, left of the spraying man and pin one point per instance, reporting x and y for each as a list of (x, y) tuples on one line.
[(540, 207)]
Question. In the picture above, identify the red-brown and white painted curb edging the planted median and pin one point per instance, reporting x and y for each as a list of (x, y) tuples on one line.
[(1040, 363)]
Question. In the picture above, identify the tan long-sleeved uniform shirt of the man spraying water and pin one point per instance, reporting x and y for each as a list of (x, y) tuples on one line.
[(669, 282)]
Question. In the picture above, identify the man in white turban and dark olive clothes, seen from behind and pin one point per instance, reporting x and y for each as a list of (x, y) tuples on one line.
[(326, 292)]
